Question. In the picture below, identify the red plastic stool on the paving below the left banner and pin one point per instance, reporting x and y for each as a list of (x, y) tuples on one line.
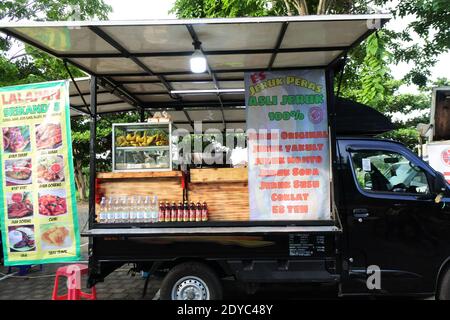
[(73, 273)]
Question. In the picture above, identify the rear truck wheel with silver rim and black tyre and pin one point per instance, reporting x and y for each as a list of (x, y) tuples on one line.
[(191, 281)]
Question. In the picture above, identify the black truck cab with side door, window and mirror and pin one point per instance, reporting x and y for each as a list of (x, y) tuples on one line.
[(395, 213)]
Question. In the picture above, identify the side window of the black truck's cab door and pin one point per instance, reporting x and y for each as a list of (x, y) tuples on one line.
[(386, 171)]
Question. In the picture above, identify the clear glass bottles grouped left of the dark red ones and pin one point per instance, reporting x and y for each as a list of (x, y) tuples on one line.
[(129, 209)]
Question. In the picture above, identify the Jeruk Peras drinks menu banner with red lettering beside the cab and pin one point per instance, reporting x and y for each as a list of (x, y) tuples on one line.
[(288, 145)]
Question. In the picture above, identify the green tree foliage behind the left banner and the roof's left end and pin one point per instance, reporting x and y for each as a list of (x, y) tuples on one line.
[(30, 65)]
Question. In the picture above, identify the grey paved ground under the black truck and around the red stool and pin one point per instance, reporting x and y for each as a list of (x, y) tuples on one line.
[(120, 285)]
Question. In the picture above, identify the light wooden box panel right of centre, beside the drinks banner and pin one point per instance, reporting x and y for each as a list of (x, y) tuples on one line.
[(225, 190)]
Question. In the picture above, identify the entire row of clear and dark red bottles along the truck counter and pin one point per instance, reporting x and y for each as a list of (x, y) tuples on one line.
[(146, 209)]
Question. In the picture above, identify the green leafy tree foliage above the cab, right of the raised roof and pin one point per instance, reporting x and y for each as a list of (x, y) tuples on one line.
[(367, 78)]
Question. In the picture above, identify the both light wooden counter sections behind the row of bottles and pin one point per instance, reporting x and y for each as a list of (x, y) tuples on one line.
[(224, 189)]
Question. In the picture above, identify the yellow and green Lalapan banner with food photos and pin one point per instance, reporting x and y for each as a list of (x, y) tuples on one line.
[(38, 212)]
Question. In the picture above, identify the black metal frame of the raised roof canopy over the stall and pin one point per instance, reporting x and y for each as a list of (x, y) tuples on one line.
[(141, 101)]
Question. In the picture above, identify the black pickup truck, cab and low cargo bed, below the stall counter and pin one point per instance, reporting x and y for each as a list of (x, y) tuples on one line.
[(390, 237)]
